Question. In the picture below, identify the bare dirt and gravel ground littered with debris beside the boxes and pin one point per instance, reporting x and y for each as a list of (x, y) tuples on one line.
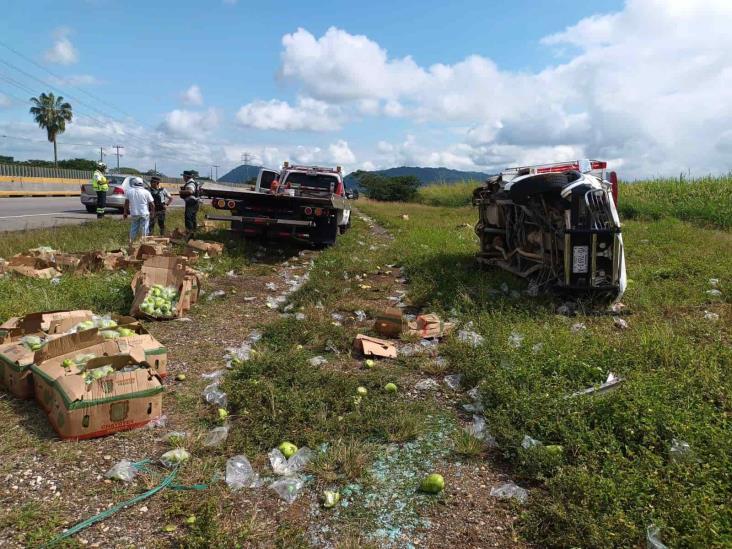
[(48, 485)]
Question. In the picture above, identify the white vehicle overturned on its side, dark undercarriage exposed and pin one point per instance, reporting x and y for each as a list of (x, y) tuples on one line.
[(555, 223)]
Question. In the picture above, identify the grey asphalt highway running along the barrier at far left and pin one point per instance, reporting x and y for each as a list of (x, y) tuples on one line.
[(17, 214)]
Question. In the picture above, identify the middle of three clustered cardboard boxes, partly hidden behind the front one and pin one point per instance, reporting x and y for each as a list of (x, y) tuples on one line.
[(47, 363)]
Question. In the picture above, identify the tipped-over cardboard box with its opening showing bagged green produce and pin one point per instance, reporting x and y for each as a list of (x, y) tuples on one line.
[(167, 271)]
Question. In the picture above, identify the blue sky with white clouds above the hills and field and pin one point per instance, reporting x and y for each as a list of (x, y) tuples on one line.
[(471, 85)]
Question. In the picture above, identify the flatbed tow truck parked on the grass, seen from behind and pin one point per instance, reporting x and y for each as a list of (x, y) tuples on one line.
[(301, 202)]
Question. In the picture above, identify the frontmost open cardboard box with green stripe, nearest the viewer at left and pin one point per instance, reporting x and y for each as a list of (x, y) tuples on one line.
[(120, 401)]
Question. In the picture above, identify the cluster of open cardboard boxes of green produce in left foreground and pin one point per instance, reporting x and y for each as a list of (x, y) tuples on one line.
[(80, 404)]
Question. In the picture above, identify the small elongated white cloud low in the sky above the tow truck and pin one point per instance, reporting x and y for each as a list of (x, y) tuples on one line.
[(307, 114)]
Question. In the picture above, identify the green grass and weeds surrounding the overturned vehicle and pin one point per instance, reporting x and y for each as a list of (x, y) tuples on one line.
[(615, 473)]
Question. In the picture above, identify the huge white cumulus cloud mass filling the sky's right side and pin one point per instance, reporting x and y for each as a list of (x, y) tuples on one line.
[(647, 86)]
